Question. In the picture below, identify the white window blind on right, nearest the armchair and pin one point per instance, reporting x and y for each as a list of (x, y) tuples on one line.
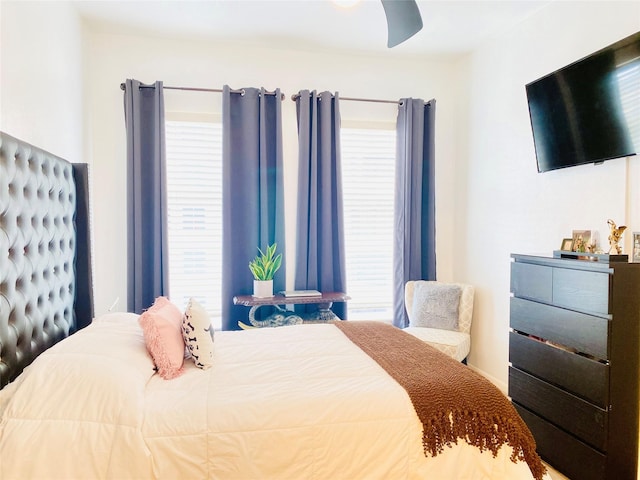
[(368, 175)]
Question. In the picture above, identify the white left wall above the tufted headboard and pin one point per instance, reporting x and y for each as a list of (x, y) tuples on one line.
[(41, 76)]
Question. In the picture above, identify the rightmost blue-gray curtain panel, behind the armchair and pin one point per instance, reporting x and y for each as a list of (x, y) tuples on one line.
[(414, 249)]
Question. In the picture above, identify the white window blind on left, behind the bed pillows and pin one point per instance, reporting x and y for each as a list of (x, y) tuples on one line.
[(194, 202)]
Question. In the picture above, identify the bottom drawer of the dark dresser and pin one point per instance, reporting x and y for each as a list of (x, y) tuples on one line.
[(567, 454)]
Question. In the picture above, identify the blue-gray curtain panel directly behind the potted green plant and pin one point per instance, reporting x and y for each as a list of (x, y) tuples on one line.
[(252, 191)]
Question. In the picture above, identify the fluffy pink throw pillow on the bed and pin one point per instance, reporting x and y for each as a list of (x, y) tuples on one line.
[(162, 328)]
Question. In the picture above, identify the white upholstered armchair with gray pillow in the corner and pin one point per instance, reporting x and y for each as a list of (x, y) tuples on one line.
[(440, 314)]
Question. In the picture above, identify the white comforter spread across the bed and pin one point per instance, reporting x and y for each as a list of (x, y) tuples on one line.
[(298, 402)]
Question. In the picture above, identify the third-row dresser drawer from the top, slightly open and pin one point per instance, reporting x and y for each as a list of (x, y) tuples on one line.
[(579, 375)]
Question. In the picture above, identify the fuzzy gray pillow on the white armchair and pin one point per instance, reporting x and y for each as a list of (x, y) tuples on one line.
[(435, 305)]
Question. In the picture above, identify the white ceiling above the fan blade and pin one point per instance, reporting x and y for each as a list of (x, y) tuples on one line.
[(452, 26)]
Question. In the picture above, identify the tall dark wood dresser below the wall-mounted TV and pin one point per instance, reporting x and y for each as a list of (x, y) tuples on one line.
[(574, 355)]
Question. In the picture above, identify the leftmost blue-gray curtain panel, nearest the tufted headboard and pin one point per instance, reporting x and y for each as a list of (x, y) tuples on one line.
[(147, 253)]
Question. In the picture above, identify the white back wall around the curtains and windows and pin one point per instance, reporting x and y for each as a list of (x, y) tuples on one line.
[(111, 58)]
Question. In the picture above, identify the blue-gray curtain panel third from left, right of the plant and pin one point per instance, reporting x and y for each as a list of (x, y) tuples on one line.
[(320, 263)]
